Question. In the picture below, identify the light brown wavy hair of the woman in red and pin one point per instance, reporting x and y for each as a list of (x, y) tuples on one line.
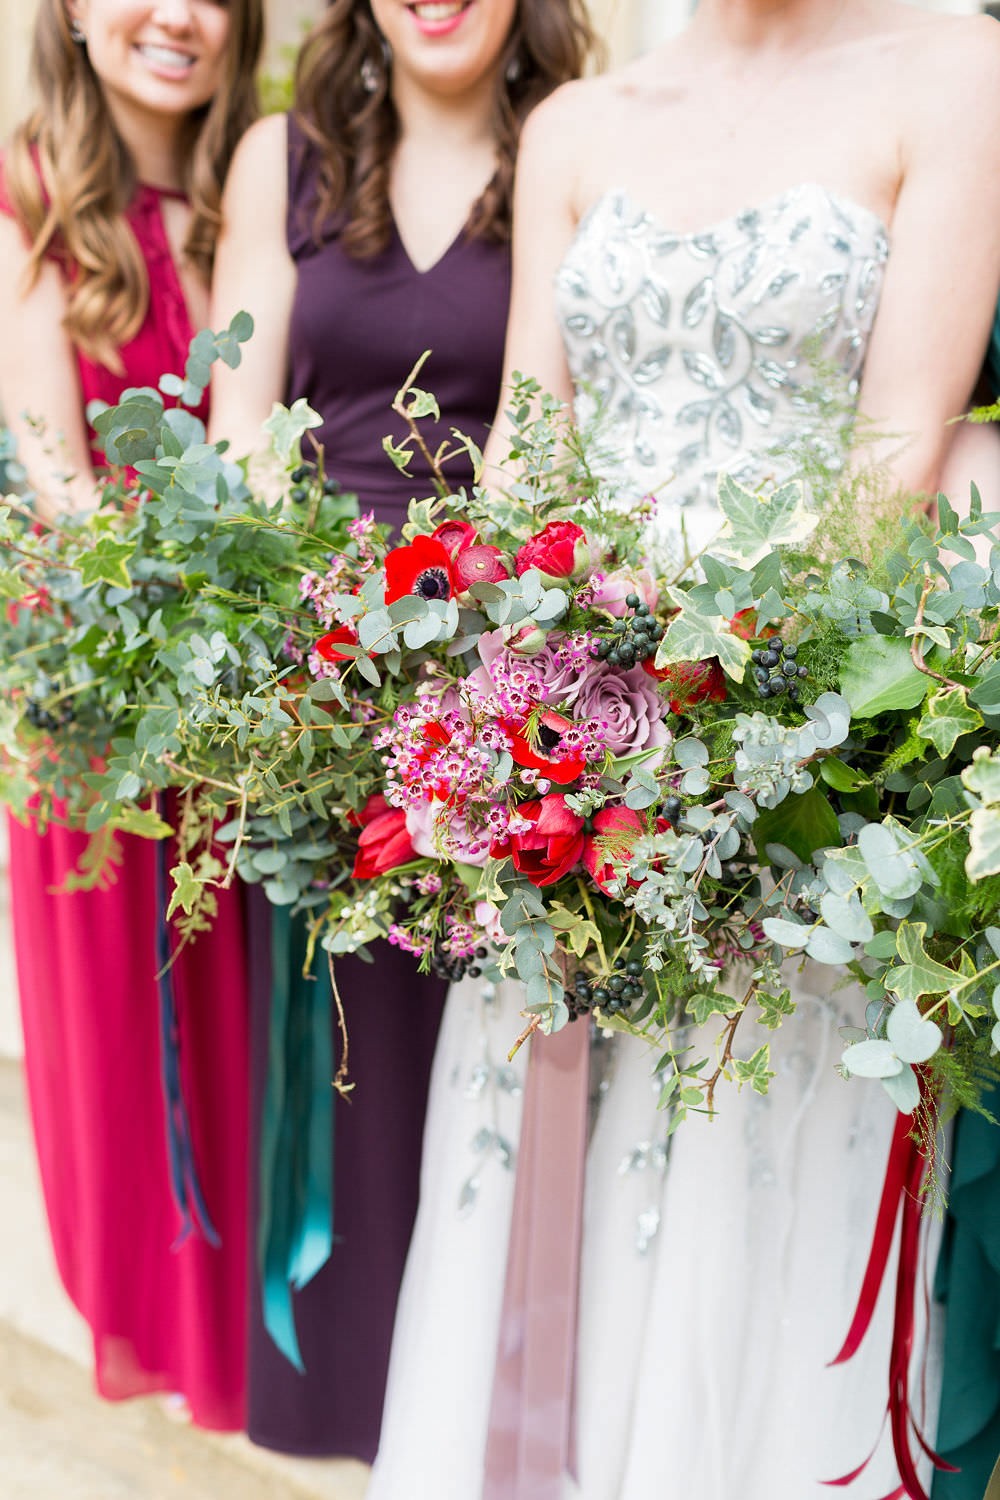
[(71, 179)]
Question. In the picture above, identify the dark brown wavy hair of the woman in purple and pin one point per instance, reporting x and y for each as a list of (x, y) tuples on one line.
[(355, 131)]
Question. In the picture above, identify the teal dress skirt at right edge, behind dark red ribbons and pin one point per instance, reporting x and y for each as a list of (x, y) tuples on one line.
[(969, 1285)]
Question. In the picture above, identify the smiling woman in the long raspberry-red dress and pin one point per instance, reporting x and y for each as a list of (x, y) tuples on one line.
[(109, 215)]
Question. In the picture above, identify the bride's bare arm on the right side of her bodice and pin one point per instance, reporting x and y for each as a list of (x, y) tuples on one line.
[(944, 269)]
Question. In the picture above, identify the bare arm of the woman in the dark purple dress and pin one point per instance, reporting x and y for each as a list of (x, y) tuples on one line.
[(257, 275)]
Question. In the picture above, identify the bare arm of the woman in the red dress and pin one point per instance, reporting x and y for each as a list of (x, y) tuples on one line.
[(40, 388)]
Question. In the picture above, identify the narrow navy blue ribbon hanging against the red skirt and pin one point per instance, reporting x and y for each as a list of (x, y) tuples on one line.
[(184, 1174)]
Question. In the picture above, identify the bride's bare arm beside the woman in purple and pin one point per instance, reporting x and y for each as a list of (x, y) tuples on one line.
[(545, 223)]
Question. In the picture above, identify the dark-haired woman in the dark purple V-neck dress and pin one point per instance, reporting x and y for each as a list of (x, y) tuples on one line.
[(371, 226)]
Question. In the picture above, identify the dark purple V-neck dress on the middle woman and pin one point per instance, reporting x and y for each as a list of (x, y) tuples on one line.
[(358, 328)]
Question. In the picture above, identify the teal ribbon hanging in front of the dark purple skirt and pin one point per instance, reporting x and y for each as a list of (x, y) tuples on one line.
[(295, 1235)]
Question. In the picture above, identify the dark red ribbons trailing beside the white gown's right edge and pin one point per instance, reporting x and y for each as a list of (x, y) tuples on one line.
[(900, 1201)]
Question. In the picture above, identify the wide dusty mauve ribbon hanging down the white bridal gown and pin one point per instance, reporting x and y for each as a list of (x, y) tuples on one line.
[(530, 1442)]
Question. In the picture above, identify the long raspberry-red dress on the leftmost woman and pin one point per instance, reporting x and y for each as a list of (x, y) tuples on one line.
[(164, 1316)]
